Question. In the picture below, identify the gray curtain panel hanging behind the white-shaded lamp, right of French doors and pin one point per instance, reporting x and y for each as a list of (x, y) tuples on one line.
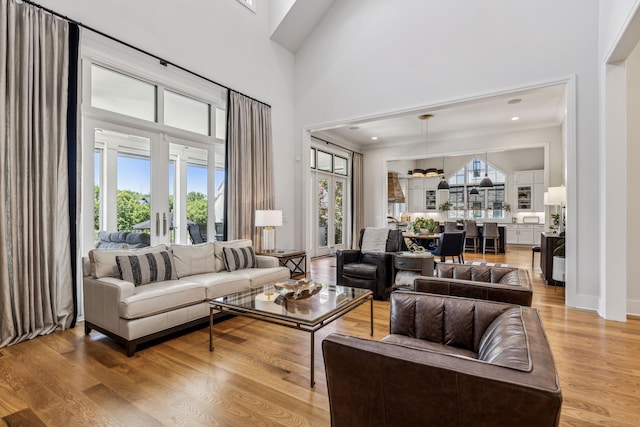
[(250, 166)]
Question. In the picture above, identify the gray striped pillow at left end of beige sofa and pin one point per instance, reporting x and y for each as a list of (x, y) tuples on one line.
[(146, 268)]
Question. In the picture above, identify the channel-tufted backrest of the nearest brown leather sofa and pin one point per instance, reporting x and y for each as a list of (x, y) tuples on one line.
[(457, 322)]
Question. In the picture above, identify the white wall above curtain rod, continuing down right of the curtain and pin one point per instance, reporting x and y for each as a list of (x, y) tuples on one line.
[(221, 40)]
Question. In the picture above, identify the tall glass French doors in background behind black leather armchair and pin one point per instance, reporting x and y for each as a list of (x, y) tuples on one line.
[(330, 213)]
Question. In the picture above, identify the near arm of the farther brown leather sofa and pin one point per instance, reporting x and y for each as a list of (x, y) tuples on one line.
[(511, 294)]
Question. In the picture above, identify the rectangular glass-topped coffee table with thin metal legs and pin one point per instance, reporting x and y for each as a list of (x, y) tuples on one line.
[(308, 314)]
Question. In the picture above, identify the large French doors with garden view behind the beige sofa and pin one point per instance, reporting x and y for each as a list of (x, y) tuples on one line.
[(149, 182)]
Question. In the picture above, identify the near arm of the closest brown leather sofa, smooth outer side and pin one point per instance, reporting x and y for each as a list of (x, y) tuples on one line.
[(365, 378)]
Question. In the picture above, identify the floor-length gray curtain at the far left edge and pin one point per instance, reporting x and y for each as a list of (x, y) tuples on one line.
[(36, 291)]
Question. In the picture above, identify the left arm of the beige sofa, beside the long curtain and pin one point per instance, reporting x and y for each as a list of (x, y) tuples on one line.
[(102, 298)]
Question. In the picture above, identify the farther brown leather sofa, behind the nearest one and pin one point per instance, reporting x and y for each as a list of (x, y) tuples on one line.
[(501, 284)]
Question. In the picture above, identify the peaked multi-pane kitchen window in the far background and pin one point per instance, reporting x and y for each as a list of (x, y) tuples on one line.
[(463, 186)]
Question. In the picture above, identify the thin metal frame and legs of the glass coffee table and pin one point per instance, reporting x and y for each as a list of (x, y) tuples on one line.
[(292, 324)]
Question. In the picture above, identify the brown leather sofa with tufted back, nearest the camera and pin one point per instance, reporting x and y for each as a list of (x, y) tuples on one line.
[(448, 361)]
